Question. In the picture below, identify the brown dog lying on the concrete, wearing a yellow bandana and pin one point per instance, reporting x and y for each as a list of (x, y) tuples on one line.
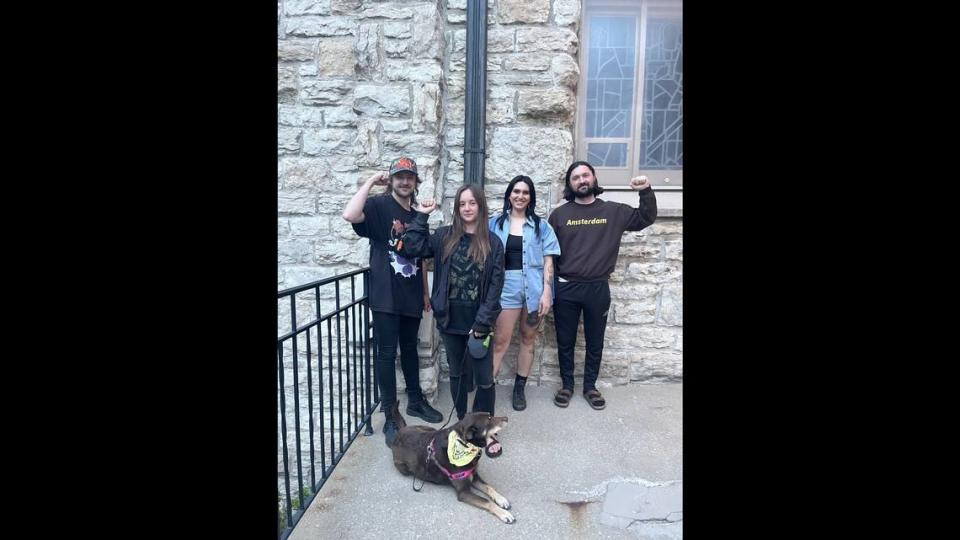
[(426, 453)]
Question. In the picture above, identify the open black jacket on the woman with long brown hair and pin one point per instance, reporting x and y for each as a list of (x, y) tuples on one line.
[(418, 242)]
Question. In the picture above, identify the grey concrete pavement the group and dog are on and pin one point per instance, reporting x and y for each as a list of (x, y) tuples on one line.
[(568, 473)]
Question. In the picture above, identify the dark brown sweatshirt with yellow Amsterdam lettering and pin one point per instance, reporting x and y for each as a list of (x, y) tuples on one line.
[(590, 234)]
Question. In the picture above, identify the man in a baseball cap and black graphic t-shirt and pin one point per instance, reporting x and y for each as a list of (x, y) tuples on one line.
[(398, 295)]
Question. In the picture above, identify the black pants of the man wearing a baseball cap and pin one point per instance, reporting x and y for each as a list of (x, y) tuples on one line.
[(389, 329)]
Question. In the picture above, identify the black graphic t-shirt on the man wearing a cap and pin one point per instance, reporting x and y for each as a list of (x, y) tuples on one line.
[(395, 282)]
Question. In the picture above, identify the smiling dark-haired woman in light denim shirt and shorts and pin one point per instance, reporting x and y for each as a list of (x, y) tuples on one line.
[(530, 245)]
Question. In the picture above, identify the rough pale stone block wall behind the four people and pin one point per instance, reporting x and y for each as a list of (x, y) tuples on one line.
[(361, 82)]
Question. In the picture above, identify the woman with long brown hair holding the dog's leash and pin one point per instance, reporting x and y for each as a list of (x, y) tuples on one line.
[(467, 280)]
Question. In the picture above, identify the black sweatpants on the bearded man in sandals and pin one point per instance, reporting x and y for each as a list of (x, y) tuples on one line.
[(593, 300)]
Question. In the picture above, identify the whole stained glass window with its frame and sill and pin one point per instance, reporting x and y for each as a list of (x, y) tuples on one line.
[(630, 119)]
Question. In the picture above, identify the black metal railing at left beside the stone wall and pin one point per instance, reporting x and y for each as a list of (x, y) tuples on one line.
[(345, 379)]
